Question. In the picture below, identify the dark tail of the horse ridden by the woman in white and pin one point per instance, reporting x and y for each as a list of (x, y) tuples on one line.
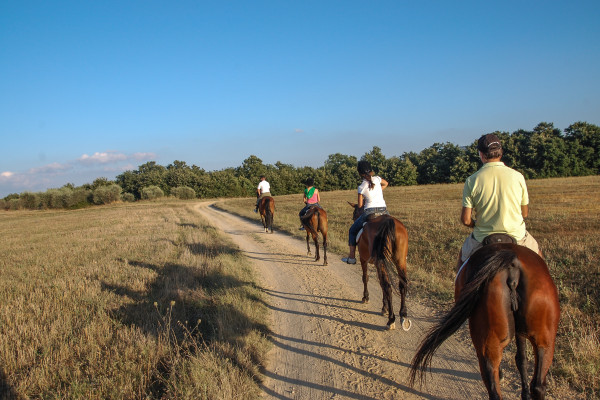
[(384, 247)]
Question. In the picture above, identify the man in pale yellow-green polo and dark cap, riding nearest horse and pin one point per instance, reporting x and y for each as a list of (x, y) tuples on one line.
[(498, 196)]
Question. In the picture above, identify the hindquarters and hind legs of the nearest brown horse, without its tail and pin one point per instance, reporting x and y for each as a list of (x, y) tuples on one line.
[(529, 310)]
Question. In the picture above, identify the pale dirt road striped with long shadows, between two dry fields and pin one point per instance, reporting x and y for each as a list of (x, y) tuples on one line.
[(327, 344)]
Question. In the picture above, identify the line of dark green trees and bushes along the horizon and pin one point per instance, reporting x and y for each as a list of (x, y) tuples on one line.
[(543, 152)]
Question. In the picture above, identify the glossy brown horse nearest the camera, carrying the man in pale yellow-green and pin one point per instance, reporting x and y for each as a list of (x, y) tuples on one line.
[(504, 290)]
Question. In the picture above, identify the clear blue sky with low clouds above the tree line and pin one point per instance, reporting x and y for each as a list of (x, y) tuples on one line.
[(92, 88)]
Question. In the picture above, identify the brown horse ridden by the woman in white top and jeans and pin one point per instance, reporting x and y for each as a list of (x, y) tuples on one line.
[(384, 243)]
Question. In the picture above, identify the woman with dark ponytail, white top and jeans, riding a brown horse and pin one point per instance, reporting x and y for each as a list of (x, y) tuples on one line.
[(370, 195)]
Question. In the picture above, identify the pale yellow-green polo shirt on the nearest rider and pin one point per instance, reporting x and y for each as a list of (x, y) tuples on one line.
[(496, 193)]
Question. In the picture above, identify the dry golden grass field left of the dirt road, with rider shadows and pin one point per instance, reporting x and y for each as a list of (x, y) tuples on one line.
[(132, 301)]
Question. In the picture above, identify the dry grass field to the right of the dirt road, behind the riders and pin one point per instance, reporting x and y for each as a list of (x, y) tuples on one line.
[(564, 218)]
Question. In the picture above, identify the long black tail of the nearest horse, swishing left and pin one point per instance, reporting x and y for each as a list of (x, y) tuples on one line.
[(491, 264)]
